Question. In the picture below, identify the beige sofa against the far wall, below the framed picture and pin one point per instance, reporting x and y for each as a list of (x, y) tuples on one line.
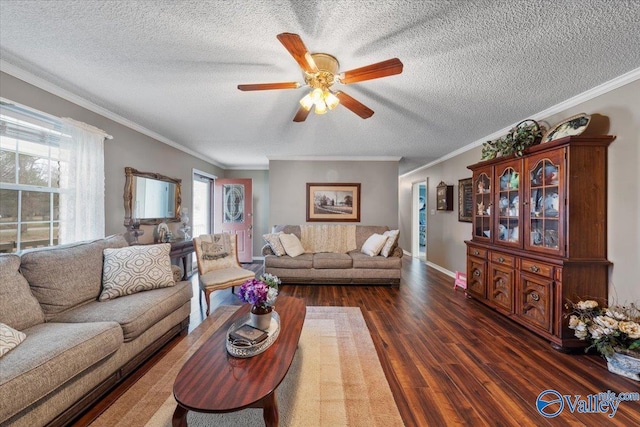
[(352, 267)]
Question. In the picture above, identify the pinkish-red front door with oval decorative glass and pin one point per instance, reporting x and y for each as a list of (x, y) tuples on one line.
[(233, 213)]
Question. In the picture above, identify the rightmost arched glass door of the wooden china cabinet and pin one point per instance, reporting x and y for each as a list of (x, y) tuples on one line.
[(546, 203)]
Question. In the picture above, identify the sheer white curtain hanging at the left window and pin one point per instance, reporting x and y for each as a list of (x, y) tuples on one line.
[(82, 182)]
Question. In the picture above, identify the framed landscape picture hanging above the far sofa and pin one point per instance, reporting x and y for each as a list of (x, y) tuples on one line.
[(333, 202)]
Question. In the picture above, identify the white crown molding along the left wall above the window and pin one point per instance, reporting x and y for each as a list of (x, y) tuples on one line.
[(56, 90)]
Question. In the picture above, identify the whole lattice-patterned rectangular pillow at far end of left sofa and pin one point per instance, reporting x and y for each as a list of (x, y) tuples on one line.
[(135, 268)]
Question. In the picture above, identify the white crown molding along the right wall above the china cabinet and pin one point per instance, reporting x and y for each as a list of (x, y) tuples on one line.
[(612, 84)]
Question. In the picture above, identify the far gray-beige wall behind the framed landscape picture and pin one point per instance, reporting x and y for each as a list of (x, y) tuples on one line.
[(288, 187)]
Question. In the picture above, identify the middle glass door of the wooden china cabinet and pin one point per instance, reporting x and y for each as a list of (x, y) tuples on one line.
[(507, 227)]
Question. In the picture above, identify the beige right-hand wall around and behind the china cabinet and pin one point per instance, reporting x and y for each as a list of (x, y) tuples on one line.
[(622, 107)]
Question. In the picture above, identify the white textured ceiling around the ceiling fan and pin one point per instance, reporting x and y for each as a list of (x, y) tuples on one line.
[(470, 68)]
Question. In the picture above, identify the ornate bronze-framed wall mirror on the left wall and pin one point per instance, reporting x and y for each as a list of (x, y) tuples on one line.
[(150, 198)]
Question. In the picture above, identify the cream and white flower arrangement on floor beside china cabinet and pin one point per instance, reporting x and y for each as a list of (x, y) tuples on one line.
[(609, 330)]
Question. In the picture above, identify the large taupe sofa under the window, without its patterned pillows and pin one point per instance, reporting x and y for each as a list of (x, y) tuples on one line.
[(76, 348)]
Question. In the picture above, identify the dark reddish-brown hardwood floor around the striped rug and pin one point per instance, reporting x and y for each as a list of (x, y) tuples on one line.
[(450, 360)]
